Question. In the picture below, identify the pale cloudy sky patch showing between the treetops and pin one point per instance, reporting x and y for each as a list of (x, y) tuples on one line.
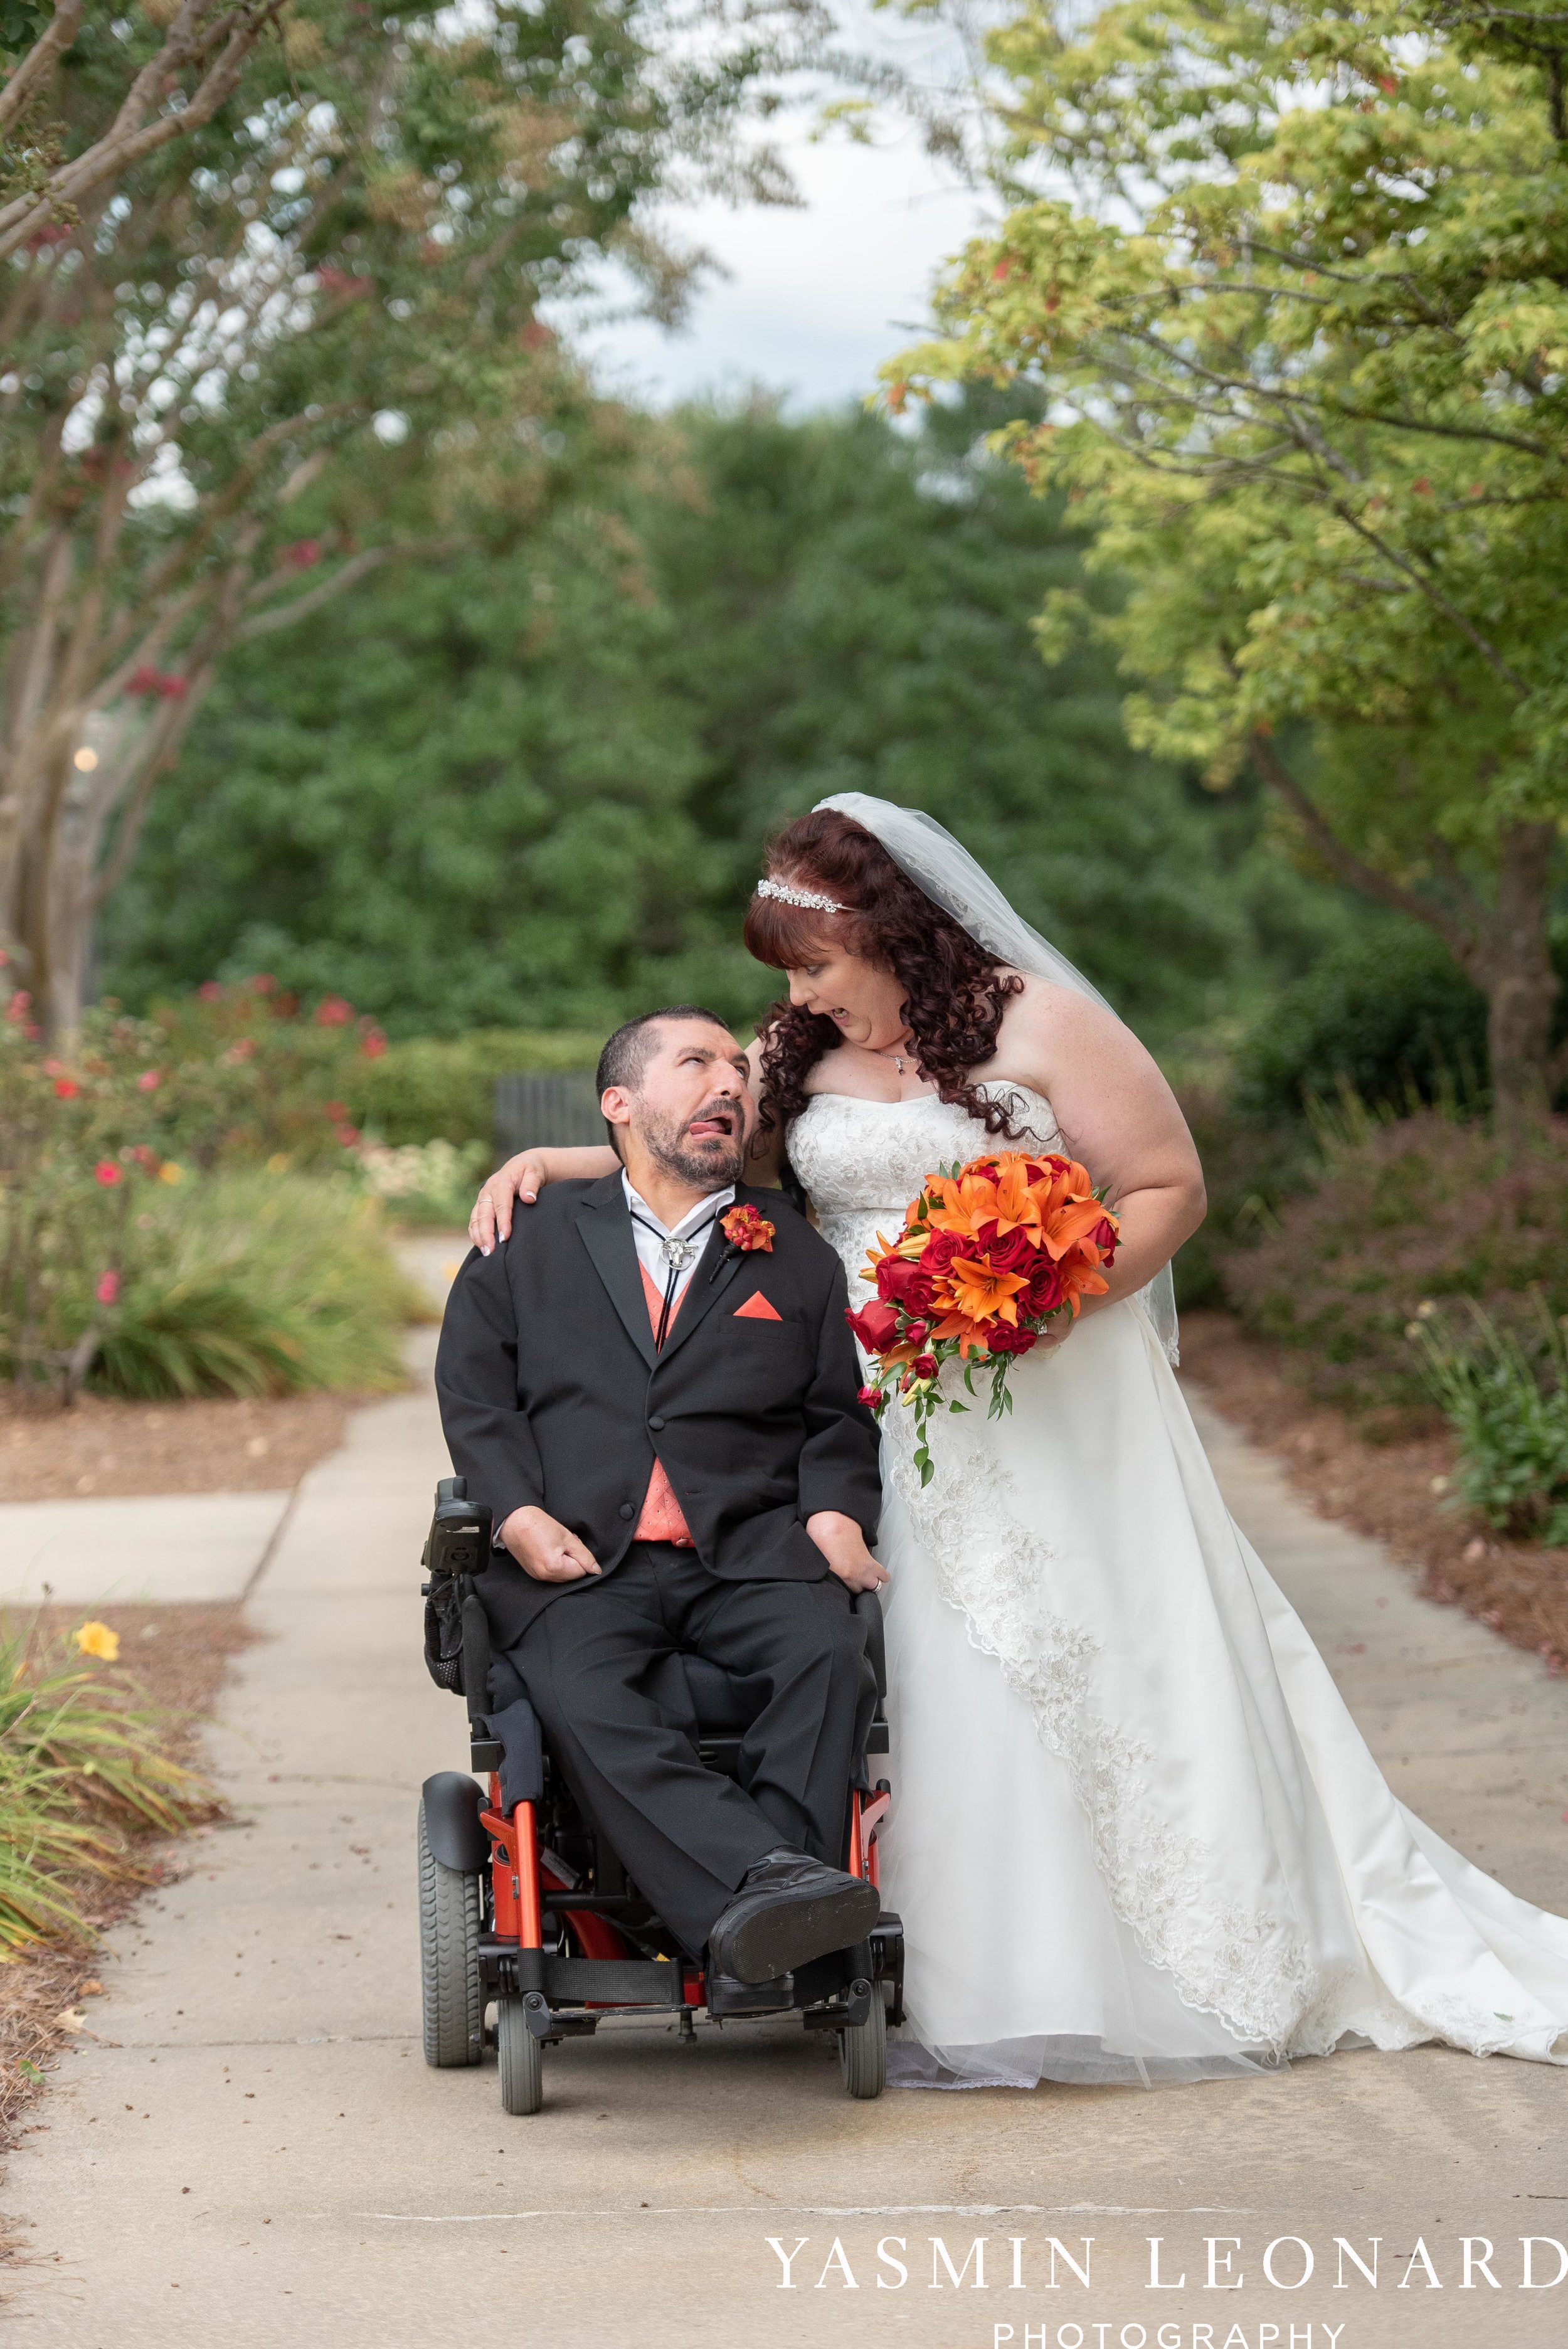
[(816, 299)]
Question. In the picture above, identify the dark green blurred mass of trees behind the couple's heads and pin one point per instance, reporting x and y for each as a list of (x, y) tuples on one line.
[(532, 788)]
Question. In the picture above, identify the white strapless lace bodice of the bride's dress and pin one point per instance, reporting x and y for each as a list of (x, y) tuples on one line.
[(865, 1162)]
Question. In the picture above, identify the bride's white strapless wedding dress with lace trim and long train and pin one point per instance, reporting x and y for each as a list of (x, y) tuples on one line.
[(1137, 1836)]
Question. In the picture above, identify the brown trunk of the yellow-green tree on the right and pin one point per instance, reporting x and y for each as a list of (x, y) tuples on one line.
[(1522, 988)]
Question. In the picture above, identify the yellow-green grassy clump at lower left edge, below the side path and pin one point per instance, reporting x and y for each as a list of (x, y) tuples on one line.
[(83, 1770)]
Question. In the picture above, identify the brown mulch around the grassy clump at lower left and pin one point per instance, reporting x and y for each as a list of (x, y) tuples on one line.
[(173, 1657)]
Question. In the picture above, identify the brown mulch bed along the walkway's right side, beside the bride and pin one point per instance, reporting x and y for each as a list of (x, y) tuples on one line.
[(1388, 1479)]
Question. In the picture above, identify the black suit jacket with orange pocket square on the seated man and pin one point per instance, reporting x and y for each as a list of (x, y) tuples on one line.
[(553, 1394)]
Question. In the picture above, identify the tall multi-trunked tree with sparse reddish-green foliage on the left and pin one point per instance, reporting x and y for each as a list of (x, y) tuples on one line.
[(252, 363)]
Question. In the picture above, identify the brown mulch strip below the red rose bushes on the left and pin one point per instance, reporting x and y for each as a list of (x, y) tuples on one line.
[(102, 1446)]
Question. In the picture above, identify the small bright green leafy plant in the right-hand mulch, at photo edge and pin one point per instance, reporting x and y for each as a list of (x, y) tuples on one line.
[(1508, 1413)]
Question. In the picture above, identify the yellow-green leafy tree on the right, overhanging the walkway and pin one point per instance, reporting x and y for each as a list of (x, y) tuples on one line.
[(1302, 344)]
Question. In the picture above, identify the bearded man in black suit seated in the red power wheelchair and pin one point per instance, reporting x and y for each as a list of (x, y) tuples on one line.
[(654, 1401)]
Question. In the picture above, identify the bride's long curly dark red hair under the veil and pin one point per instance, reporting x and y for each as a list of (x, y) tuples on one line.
[(954, 992)]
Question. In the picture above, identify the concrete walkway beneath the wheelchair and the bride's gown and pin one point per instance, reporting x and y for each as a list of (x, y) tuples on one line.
[(255, 2153)]
